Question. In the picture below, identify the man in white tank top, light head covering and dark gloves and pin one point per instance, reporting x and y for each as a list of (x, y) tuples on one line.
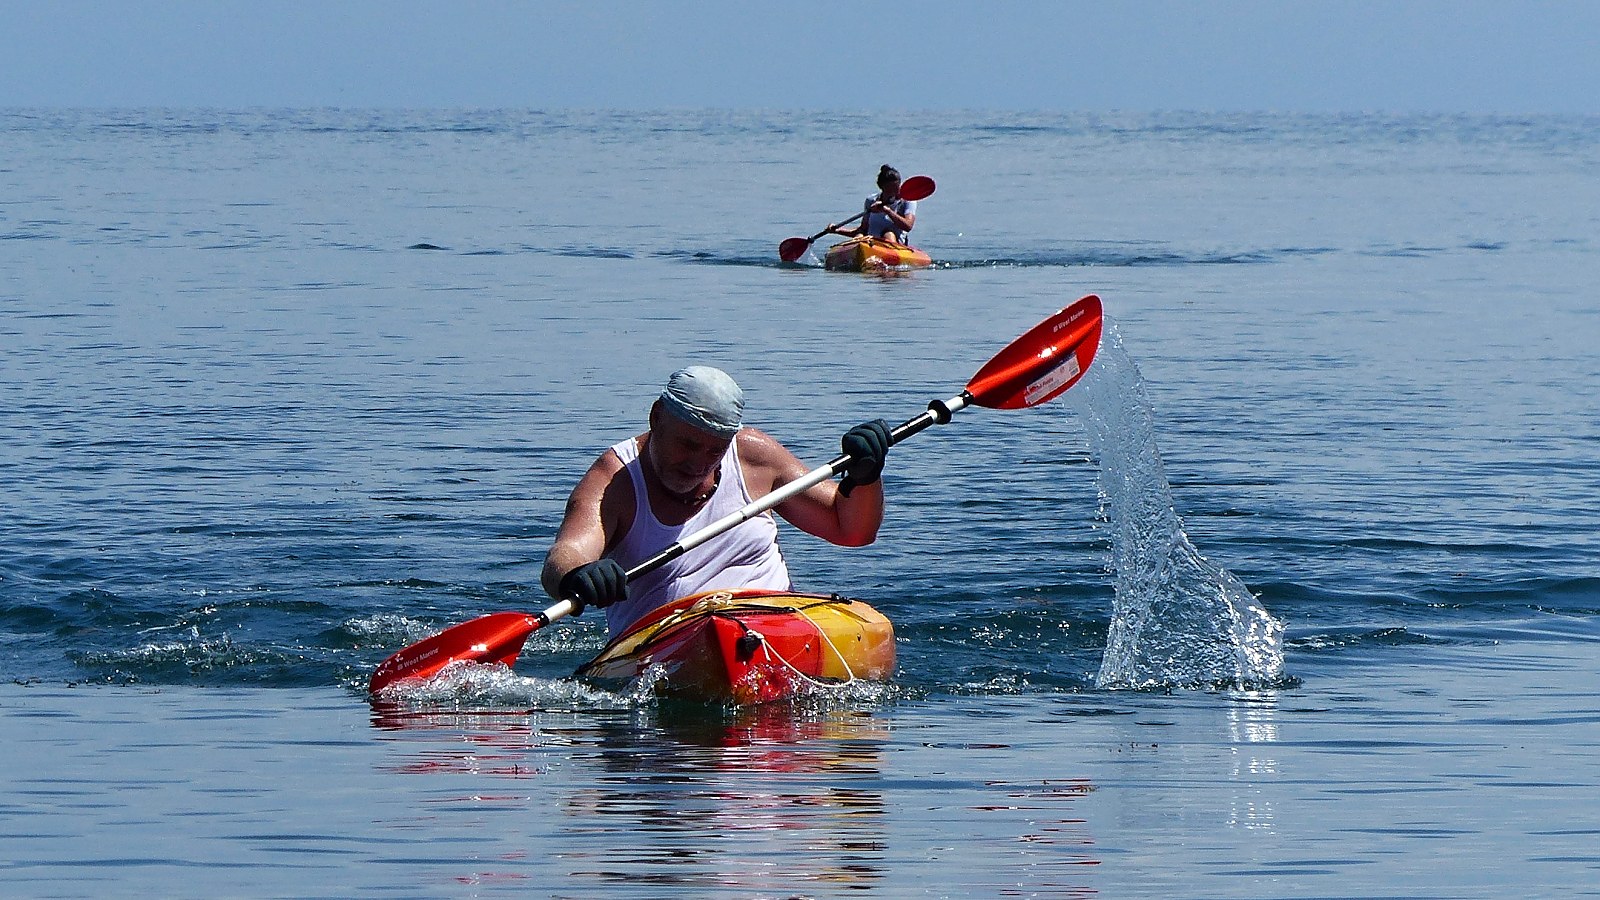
[(695, 465)]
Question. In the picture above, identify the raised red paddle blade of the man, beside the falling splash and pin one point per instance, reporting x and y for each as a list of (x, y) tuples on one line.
[(1044, 363)]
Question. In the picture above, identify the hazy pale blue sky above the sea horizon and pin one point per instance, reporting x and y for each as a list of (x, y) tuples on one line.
[(1508, 57)]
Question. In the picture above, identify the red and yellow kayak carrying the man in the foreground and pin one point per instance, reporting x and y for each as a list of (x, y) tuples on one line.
[(750, 648)]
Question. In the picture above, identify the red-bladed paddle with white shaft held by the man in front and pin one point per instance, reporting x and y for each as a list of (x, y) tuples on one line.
[(1033, 371)]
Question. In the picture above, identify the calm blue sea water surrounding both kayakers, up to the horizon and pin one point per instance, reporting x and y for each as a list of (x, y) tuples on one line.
[(282, 392)]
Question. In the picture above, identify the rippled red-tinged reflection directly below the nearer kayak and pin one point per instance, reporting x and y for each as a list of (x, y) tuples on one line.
[(761, 803)]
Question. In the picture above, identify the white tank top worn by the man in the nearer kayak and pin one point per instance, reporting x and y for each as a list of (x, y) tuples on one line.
[(746, 556)]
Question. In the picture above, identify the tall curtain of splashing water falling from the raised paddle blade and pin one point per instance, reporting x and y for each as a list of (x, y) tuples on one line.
[(1177, 619)]
